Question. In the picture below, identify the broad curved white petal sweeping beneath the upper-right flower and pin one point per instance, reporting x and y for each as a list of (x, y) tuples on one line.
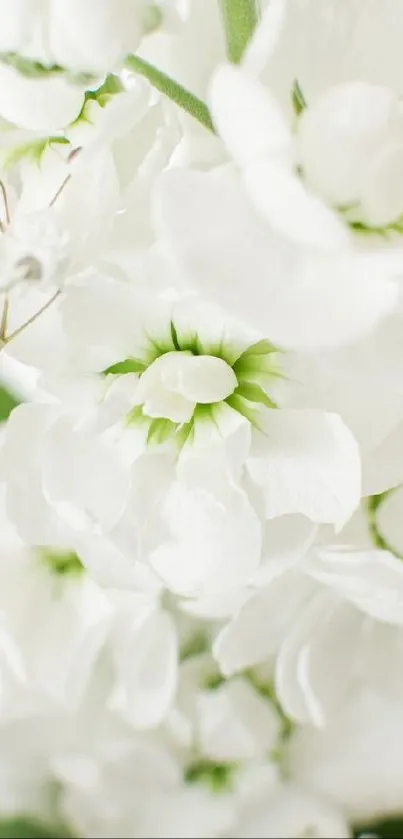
[(221, 246)]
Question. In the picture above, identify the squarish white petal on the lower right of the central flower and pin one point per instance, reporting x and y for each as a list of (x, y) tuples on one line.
[(307, 462)]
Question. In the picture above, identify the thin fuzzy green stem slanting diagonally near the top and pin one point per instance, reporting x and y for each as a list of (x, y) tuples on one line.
[(178, 94)]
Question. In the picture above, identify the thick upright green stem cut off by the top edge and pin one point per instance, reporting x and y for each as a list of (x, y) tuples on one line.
[(240, 18)]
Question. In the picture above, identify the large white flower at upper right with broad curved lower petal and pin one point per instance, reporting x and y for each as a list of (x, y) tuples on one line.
[(255, 238)]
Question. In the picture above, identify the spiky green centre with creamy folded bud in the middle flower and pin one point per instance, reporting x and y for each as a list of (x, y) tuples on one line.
[(182, 381)]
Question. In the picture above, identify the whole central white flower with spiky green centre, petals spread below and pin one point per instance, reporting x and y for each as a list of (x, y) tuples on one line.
[(179, 398)]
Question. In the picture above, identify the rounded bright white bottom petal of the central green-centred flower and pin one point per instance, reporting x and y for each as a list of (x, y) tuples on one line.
[(216, 535)]
